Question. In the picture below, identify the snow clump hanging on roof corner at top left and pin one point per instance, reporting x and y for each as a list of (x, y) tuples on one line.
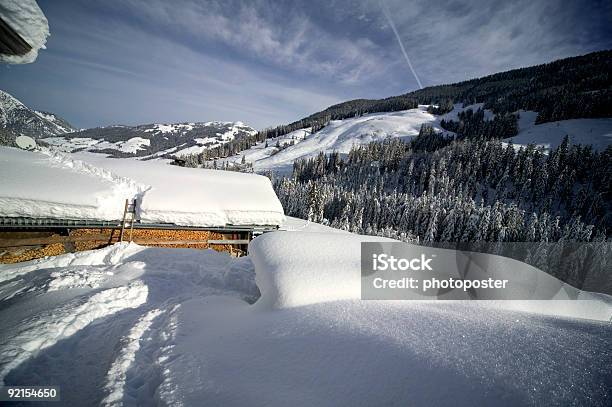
[(27, 20)]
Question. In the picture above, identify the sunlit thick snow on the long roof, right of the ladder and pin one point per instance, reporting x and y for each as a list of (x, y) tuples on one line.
[(194, 197)]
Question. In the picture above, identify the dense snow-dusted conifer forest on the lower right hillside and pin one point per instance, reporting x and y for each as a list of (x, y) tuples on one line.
[(472, 190)]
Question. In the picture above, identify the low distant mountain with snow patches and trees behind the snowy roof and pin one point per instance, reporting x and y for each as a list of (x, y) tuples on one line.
[(162, 140)]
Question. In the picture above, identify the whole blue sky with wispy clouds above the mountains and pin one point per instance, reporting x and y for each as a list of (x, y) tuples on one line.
[(272, 62)]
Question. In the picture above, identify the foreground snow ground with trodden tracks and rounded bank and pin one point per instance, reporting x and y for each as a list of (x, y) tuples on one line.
[(130, 325)]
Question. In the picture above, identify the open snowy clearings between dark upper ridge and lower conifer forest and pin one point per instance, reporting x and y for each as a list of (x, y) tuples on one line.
[(342, 135)]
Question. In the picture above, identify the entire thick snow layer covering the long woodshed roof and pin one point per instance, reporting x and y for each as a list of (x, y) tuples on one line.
[(55, 185)]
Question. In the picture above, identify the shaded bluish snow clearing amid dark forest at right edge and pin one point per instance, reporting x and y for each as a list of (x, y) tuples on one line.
[(595, 132)]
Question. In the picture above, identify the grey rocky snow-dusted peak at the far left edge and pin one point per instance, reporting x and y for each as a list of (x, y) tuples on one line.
[(19, 118)]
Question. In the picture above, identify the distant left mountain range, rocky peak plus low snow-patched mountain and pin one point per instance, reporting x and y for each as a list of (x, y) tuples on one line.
[(143, 140)]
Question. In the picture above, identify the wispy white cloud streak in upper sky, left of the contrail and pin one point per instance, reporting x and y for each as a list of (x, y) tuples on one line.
[(282, 37)]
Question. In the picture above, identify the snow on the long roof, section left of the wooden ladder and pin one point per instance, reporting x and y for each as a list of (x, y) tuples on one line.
[(53, 185)]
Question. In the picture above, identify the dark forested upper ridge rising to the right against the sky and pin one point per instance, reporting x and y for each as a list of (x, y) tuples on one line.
[(577, 87)]
